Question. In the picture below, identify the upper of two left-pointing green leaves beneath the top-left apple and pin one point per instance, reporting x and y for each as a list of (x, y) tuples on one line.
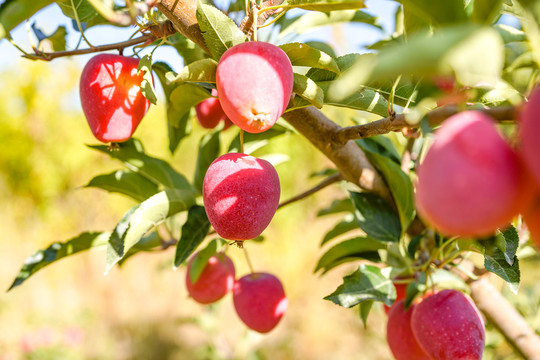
[(156, 170)]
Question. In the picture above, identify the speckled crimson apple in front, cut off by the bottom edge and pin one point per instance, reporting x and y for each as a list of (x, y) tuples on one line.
[(448, 326)]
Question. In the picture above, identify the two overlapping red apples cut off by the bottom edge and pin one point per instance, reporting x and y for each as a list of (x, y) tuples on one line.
[(442, 325)]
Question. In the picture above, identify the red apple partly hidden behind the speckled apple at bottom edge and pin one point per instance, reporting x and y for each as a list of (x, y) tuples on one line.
[(399, 334)]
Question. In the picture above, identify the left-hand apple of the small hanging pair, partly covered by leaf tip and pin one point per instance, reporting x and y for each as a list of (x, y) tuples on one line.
[(214, 282)]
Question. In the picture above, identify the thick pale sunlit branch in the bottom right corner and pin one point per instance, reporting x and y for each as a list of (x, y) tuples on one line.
[(506, 318)]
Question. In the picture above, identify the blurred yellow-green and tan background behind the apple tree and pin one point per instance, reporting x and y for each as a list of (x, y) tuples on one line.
[(70, 310)]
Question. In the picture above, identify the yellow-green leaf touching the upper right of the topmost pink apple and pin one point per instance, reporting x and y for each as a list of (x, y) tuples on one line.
[(304, 55)]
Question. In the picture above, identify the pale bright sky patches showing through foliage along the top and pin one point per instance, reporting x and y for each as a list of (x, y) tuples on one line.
[(356, 36)]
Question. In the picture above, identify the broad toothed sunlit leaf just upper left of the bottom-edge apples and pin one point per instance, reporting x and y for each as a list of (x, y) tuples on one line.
[(365, 284)]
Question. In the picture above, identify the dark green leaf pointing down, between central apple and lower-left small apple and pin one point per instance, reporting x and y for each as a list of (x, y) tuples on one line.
[(194, 231)]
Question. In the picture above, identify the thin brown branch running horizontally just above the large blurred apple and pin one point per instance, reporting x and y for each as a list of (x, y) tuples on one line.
[(398, 122)]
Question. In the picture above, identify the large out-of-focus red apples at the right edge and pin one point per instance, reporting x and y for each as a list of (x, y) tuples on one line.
[(473, 182)]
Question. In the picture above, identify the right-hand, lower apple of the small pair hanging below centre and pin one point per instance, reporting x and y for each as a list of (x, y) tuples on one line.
[(259, 300)]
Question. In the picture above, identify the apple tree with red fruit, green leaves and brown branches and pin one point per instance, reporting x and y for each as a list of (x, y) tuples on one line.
[(455, 83)]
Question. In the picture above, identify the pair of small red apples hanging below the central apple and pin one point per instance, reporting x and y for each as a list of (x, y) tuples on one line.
[(259, 298)]
